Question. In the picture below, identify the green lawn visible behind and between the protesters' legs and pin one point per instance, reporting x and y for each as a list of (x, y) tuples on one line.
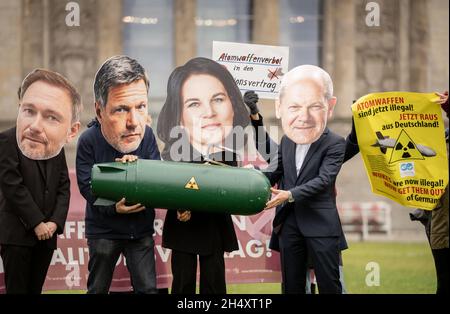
[(403, 268)]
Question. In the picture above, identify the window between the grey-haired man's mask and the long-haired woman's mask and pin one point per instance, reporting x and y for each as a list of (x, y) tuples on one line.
[(148, 37)]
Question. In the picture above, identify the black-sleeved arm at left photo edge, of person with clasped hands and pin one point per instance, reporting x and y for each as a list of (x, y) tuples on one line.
[(13, 188)]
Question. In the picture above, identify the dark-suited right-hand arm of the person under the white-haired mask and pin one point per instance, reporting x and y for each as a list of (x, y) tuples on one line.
[(328, 171)]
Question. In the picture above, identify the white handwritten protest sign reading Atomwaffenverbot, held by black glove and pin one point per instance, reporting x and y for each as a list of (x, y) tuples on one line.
[(254, 67)]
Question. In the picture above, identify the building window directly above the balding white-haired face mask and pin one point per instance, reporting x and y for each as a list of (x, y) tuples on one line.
[(300, 29)]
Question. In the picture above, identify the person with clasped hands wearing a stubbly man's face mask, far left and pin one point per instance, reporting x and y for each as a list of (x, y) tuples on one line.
[(34, 180)]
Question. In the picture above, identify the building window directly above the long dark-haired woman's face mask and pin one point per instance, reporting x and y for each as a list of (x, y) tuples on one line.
[(219, 20)]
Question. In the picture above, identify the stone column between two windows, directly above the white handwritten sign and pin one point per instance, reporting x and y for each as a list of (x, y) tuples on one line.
[(266, 19)]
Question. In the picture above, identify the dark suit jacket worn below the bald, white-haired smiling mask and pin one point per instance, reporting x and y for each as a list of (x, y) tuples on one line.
[(314, 188)]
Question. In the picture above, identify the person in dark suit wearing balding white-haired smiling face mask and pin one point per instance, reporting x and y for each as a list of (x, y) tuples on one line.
[(309, 159)]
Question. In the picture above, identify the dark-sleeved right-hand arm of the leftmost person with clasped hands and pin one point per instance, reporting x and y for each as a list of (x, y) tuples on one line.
[(59, 215)]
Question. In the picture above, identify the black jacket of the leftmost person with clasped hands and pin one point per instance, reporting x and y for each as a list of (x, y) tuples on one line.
[(31, 192)]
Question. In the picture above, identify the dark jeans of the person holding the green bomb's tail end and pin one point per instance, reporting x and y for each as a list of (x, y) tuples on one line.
[(140, 259)]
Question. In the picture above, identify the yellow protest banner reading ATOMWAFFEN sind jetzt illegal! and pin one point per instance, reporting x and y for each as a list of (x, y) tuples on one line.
[(402, 142)]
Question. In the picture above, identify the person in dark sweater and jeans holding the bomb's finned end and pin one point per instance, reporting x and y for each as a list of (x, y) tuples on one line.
[(118, 133)]
